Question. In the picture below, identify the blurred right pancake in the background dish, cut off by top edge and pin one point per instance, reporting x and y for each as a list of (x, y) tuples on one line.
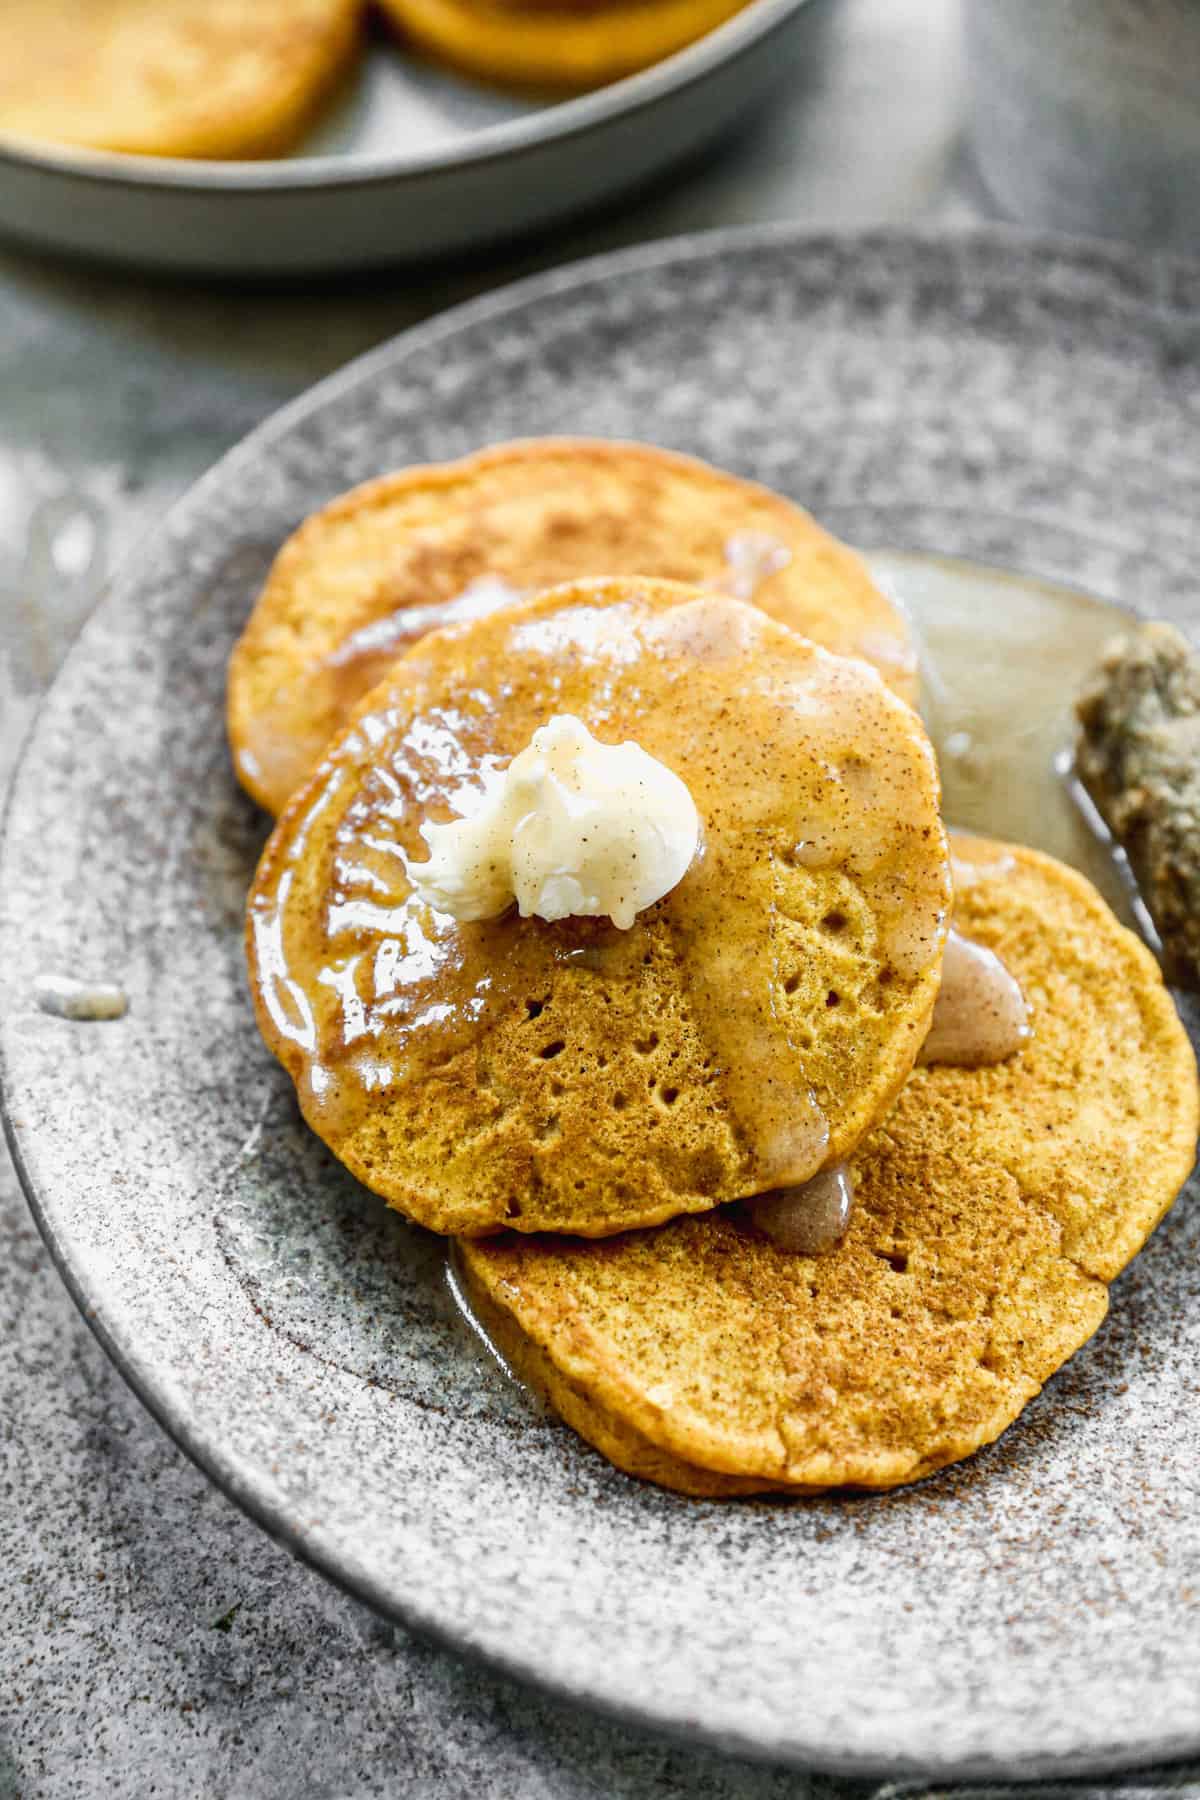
[(555, 42)]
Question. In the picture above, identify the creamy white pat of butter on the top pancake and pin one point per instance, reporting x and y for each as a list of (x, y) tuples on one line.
[(569, 829)]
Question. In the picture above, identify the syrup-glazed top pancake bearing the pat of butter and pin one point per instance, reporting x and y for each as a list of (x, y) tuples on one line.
[(575, 1077)]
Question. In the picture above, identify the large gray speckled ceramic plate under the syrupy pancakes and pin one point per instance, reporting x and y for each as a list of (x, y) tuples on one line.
[(1037, 1608)]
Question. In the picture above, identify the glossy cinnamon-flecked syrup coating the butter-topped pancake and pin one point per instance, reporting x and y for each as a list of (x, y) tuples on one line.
[(386, 991)]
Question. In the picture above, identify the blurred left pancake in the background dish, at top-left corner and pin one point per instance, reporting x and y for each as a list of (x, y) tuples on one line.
[(172, 78)]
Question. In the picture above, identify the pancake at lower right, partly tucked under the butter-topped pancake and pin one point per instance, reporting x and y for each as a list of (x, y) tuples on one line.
[(994, 1209)]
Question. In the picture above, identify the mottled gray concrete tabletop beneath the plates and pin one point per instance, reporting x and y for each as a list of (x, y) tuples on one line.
[(154, 1641)]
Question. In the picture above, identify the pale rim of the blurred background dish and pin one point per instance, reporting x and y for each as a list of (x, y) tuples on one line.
[(510, 139)]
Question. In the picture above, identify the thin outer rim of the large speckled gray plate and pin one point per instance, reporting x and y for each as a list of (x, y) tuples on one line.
[(208, 1457)]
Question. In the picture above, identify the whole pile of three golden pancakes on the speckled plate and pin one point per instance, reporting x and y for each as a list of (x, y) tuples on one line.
[(589, 1111)]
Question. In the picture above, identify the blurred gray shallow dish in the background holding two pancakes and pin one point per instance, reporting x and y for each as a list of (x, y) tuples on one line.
[(411, 165)]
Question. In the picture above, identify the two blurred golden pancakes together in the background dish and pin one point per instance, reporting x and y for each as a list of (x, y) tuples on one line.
[(244, 78)]
